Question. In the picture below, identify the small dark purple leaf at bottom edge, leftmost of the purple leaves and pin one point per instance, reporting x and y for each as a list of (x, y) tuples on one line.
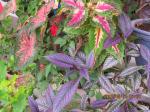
[(33, 105)]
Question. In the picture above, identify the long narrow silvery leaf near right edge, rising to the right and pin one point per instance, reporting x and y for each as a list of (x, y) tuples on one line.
[(130, 70)]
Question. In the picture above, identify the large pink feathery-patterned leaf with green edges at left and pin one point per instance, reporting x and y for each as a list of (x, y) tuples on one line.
[(26, 47)]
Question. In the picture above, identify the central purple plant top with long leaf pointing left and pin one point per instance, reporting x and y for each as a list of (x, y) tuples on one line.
[(78, 63)]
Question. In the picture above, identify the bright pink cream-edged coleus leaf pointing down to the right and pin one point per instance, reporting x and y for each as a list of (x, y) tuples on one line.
[(103, 22)]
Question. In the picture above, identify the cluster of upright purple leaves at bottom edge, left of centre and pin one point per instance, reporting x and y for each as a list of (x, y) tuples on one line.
[(51, 103)]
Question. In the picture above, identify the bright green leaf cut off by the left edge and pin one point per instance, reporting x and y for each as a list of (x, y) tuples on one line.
[(3, 70)]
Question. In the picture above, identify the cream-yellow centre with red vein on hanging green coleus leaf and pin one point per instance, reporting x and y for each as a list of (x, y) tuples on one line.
[(99, 36)]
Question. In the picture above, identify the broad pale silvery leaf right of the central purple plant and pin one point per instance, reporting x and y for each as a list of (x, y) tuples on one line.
[(110, 62)]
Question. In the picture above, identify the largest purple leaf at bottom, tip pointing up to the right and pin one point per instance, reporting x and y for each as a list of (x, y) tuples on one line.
[(65, 95)]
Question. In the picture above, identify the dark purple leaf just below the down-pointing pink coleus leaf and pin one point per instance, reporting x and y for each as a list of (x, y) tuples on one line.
[(111, 42)]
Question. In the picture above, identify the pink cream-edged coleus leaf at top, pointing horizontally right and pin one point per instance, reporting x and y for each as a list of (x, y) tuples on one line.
[(101, 7)]
